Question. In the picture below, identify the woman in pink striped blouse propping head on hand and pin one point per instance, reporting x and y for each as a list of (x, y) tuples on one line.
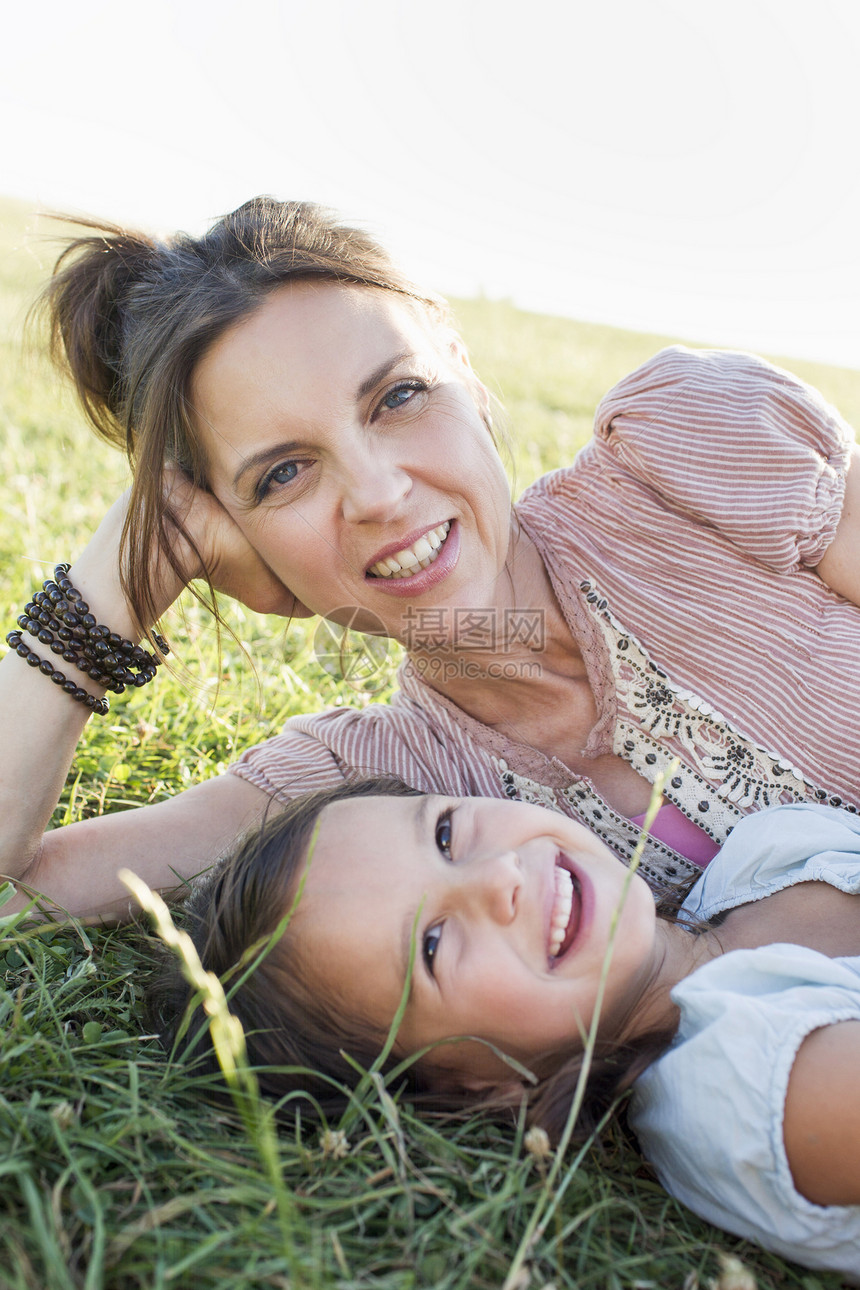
[(306, 432)]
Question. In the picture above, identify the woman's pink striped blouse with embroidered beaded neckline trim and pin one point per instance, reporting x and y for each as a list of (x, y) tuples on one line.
[(681, 546)]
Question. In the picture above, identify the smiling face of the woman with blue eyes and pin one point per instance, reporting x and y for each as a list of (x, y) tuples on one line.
[(342, 435)]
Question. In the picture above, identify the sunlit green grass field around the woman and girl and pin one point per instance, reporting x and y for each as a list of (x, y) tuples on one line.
[(121, 1171)]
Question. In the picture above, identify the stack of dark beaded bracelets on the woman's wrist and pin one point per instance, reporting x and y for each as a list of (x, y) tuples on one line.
[(60, 619)]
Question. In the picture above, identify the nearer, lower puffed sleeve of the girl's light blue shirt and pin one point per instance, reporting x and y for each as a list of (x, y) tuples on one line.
[(709, 1115)]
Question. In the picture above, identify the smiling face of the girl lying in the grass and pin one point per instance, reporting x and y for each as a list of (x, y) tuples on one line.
[(511, 909)]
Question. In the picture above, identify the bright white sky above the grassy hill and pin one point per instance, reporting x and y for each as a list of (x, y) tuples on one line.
[(689, 167)]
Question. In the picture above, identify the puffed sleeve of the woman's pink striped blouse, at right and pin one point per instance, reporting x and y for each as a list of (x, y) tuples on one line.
[(737, 444)]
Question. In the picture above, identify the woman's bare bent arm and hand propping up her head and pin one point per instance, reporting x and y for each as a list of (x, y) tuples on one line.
[(77, 866)]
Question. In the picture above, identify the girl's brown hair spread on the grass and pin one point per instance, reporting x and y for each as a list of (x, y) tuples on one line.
[(301, 1040)]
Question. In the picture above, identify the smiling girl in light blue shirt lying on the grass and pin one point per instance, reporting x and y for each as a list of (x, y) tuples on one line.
[(737, 1020)]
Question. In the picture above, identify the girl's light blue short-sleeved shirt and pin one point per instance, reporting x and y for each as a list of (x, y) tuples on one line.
[(710, 1113)]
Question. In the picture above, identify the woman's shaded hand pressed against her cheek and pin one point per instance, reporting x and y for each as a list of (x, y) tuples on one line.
[(226, 555)]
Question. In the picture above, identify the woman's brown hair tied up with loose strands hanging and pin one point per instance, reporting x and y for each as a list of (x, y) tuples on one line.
[(131, 317)]
